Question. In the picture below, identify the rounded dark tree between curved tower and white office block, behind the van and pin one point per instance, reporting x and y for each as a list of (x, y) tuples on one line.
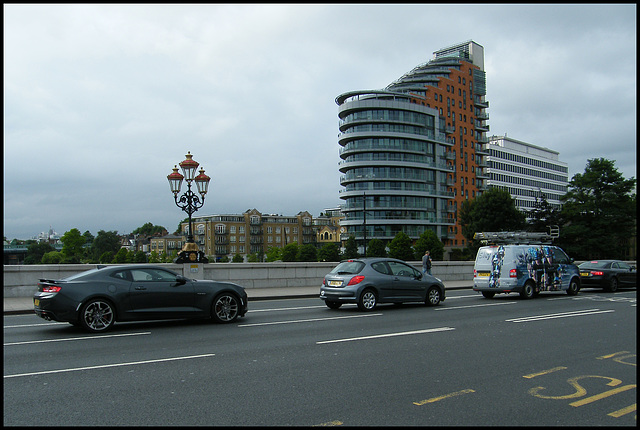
[(493, 210)]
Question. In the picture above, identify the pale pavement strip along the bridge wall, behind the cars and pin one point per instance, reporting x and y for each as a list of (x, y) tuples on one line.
[(24, 305)]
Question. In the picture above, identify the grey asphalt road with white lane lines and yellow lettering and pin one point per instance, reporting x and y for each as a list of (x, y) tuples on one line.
[(553, 360)]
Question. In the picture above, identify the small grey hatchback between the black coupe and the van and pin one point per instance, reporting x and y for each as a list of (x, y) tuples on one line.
[(369, 281)]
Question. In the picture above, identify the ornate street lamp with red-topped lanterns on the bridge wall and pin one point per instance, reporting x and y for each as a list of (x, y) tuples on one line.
[(190, 203)]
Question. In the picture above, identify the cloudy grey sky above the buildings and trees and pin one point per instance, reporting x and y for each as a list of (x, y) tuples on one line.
[(101, 101)]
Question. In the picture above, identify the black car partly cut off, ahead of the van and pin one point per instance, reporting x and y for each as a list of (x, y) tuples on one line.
[(607, 274)]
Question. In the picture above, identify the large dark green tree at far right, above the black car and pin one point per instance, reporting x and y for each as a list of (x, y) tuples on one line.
[(598, 212)]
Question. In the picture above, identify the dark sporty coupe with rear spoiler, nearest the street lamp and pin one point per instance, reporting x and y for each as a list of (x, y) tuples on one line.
[(97, 298)]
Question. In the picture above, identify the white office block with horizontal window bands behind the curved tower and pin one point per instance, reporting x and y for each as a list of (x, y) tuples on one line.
[(528, 172)]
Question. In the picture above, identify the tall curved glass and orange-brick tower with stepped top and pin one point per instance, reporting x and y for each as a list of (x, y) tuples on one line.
[(412, 151)]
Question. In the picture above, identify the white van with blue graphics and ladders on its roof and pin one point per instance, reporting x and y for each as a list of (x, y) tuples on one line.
[(524, 269)]
